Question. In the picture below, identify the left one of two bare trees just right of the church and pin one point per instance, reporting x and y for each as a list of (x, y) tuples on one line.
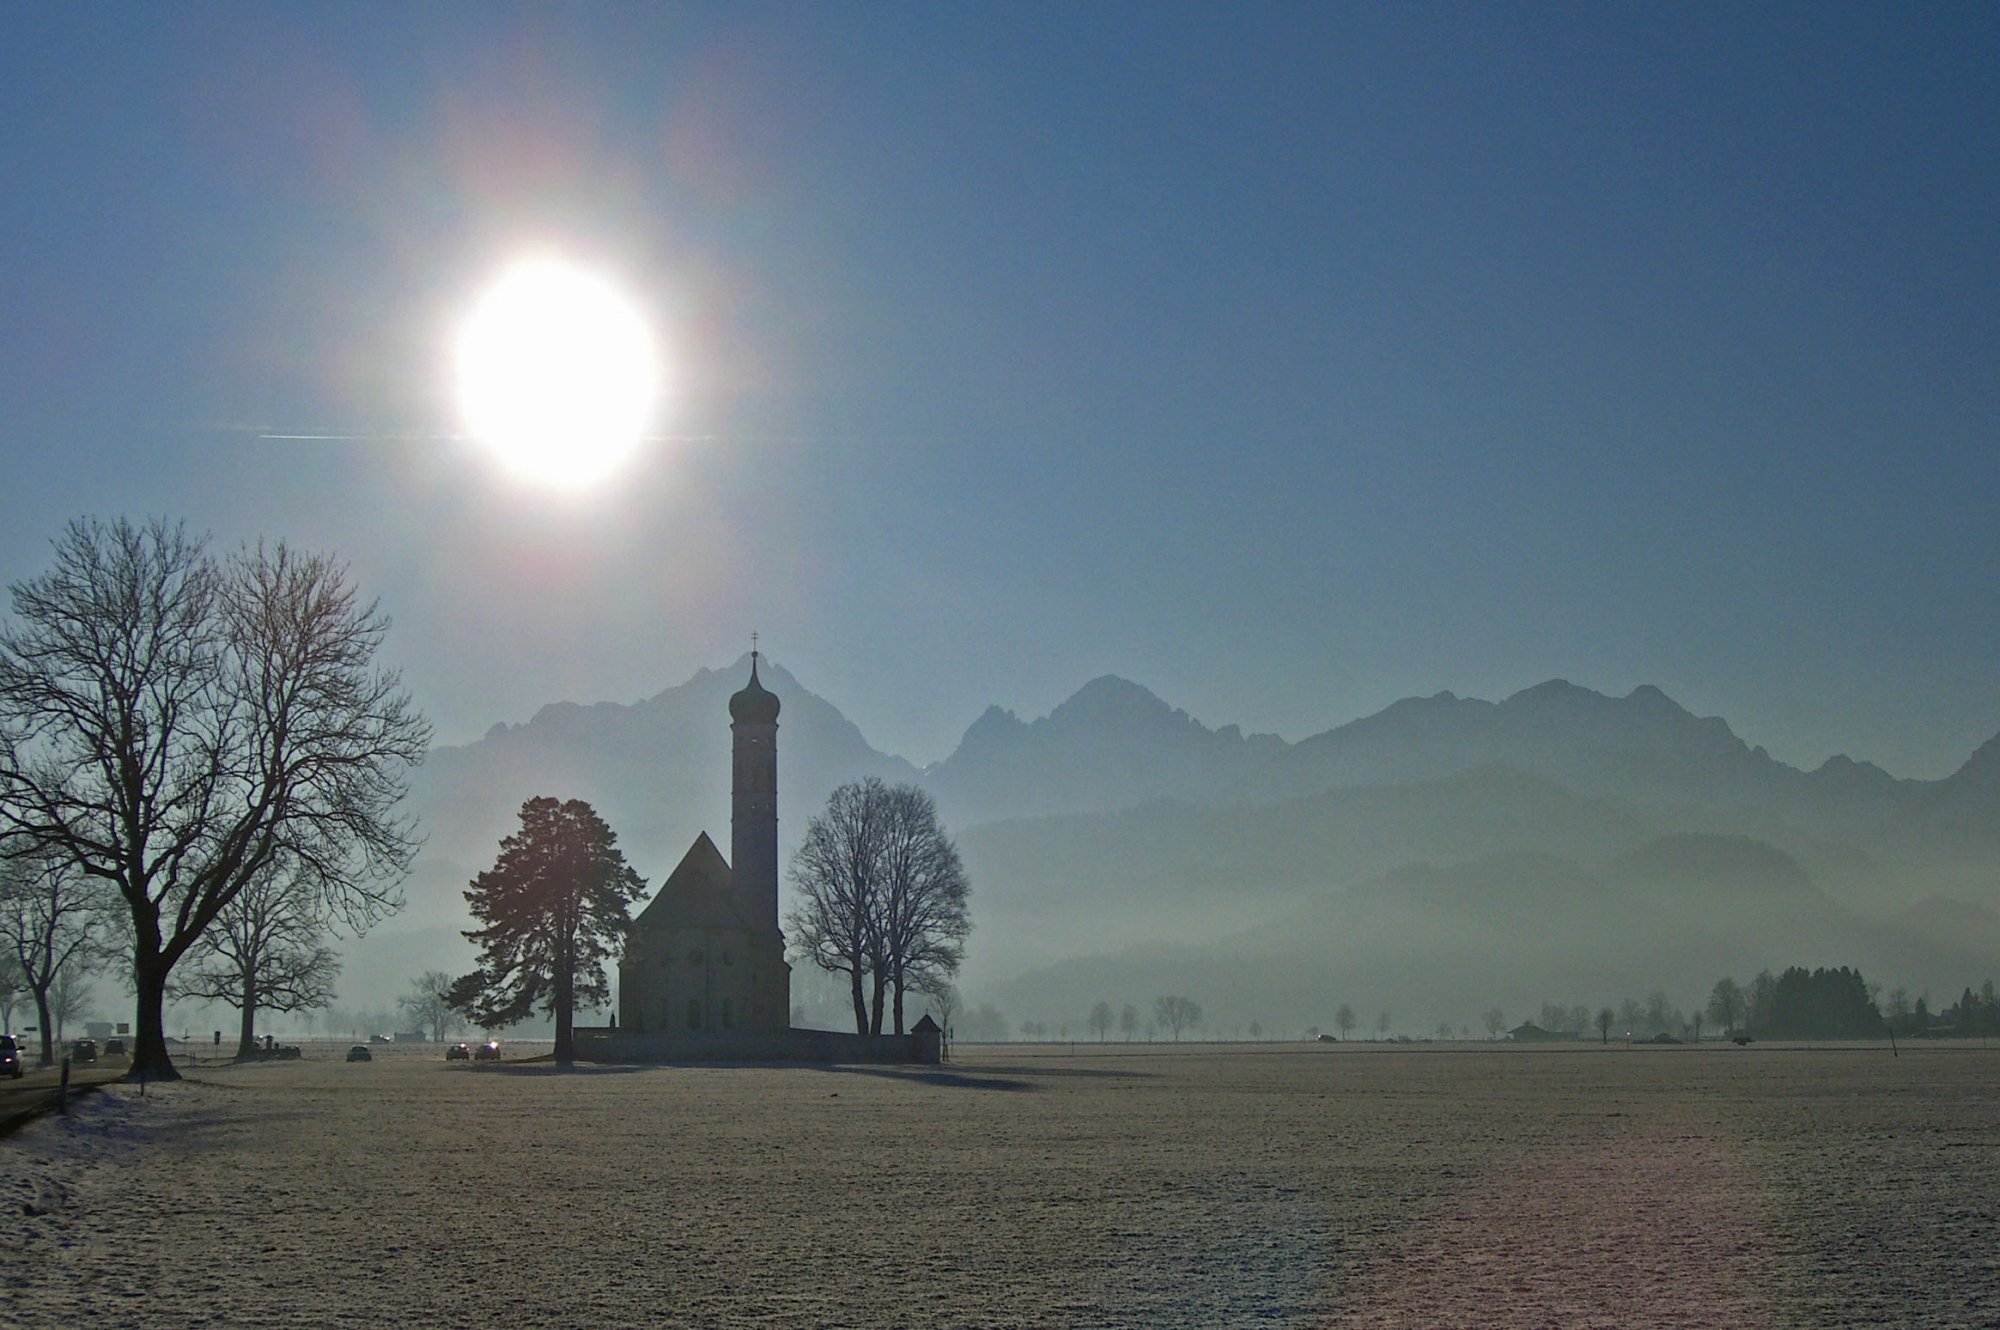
[(837, 873)]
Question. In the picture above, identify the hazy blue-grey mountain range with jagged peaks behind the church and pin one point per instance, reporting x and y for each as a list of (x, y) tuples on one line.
[(1565, 839)]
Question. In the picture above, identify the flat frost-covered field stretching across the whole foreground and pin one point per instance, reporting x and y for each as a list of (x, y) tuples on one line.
[(1121, 1187)]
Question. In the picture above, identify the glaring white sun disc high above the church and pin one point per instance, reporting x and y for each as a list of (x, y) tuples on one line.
[(557, 373)]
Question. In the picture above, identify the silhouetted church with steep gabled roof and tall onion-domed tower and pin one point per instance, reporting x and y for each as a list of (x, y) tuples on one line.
[(707, 957)]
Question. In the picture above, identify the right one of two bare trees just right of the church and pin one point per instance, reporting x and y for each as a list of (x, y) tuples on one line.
[(921, 921)]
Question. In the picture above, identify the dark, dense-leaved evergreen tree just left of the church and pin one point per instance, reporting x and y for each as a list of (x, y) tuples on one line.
[(553, 911)]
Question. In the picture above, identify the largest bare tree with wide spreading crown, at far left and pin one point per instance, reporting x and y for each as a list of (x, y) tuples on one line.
[(177, 723)]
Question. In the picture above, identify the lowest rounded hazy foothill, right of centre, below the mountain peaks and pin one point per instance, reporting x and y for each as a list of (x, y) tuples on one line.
[(1443, 943)]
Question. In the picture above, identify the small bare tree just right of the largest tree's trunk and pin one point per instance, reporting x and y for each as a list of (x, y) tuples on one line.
[(265, 953)]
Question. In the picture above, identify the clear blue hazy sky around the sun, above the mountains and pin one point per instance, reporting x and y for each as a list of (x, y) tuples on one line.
[(1283, 359)]
